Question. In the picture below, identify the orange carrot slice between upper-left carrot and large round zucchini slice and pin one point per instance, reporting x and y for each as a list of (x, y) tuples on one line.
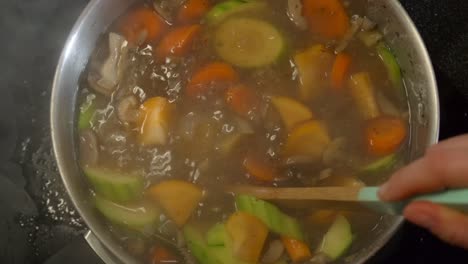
[(178, 42)]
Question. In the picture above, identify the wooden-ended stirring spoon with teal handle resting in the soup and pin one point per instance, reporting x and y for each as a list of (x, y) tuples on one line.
[(367, 196)]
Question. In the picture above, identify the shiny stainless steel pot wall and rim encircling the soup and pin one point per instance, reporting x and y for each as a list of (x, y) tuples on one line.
[(399, 32)]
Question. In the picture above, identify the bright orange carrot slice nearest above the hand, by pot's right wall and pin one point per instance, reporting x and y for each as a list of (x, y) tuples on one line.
[(384, 135)]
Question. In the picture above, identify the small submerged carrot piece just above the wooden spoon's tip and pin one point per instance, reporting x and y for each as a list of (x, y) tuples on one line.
[(259, 169)]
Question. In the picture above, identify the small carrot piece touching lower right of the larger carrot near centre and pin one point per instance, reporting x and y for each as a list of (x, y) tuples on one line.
[(242, 100)]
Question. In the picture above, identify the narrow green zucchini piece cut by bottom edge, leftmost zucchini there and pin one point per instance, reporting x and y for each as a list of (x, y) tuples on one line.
[(198, 247)]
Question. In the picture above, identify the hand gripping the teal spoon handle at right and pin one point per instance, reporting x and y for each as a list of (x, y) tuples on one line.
[(444, 165)]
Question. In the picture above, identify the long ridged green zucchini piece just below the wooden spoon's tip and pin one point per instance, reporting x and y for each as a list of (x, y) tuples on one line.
[(276, 220)]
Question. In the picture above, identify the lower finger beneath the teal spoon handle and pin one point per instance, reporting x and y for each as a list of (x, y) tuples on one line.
[(447, 224)]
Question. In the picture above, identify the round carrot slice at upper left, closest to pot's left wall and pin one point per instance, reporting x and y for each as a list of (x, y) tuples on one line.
[(142, 25)]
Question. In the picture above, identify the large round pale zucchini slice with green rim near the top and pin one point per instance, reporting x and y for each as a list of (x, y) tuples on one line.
[(248, 42)]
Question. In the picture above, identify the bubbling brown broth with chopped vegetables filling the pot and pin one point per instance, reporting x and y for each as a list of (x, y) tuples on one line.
[(174, 113)]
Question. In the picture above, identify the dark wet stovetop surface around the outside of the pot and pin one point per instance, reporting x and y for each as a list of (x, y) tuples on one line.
[(37, 222)]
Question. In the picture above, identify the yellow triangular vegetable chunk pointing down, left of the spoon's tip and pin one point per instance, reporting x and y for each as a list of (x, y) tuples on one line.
[(178, 199)]
